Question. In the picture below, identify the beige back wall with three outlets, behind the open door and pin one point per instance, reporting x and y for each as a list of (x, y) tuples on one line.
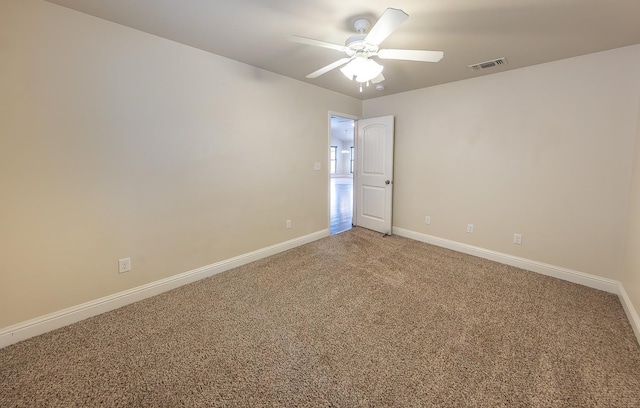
[(544, 151)]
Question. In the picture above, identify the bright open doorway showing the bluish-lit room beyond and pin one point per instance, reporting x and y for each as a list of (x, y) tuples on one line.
[(341, 162)]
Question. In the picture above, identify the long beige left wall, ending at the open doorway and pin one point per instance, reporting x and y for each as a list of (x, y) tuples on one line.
[(115, 143)]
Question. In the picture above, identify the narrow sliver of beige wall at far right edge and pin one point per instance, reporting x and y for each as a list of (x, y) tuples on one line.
[(631, 265)]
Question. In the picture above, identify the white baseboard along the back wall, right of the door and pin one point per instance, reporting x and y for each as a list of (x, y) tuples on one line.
[(592, 281)]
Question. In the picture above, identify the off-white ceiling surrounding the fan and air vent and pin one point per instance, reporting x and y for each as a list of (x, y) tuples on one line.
[(525, 32)]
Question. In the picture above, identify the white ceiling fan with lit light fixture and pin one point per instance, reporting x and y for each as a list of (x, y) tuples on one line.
[(361, 47)]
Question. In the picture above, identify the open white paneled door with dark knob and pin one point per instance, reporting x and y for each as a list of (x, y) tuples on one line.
[(374, 173)]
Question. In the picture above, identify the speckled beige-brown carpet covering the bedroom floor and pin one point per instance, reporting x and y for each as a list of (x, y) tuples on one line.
[(354, 320)]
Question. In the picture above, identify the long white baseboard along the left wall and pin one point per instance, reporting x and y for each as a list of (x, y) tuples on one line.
[(61, 318)]
